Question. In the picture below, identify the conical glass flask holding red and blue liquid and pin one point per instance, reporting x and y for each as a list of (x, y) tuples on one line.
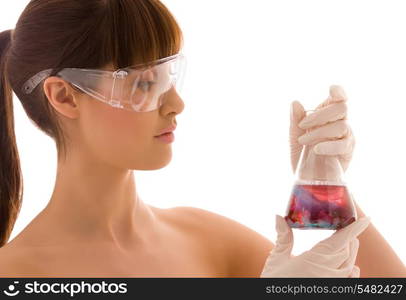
[(320, 198)]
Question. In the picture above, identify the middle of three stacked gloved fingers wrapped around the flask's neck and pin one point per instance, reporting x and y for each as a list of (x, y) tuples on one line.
[(336, 130)]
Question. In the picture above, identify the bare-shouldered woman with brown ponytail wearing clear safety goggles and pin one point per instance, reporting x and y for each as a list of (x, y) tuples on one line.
[(60, 62)]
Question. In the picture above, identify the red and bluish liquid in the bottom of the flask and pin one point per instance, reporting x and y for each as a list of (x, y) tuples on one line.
[(320, 207)]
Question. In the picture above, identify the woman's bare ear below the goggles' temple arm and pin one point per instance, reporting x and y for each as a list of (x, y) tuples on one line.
[(61, 96)]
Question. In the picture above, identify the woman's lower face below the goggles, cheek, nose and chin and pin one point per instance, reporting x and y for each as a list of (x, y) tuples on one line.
[(126, 139)]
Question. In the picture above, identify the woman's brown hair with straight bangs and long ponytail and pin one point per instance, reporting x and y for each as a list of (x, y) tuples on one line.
[(69, 33)]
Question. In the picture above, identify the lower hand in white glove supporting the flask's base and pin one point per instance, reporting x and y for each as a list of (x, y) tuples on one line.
[(332, 257)]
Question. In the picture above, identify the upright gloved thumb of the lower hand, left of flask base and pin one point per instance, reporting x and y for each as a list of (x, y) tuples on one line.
[(284, 243)]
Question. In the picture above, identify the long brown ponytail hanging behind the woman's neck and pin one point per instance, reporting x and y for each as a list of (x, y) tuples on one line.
[(10, 171)]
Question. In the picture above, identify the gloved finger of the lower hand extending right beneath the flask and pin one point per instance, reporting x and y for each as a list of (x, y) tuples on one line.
[(341, 237)]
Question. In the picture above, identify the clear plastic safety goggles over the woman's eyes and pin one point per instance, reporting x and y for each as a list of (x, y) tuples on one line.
[(140, 88)]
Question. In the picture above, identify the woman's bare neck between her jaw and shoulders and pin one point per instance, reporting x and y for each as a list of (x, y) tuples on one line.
[(98, 202)]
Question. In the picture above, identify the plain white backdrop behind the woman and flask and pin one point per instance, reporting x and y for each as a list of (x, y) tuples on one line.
[(247, 60)]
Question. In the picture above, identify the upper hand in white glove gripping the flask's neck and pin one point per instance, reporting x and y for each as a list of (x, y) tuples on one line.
[(325, 130)]
